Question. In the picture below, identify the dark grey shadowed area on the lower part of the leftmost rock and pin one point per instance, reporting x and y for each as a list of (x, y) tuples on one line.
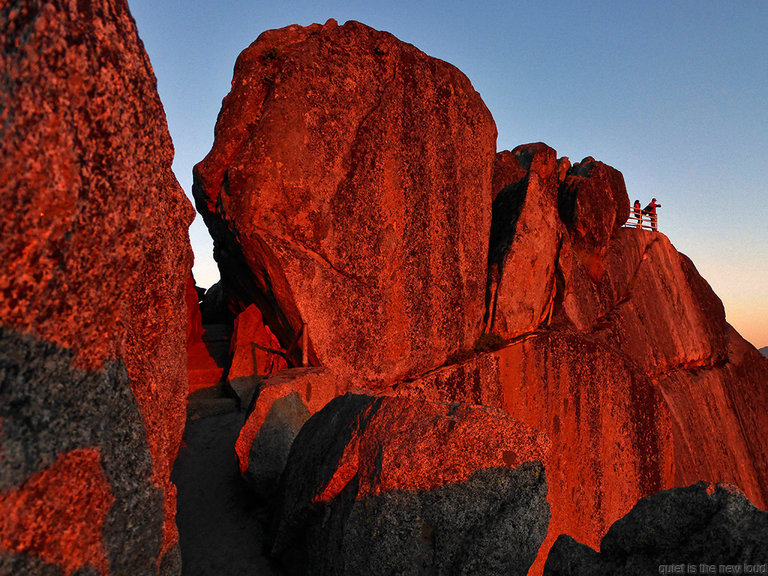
[(48, 408)]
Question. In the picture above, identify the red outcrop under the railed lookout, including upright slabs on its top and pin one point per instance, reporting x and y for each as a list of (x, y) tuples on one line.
[(616, 348)]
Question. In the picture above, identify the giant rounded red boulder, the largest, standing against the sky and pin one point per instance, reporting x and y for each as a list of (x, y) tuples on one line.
[(349, 187)]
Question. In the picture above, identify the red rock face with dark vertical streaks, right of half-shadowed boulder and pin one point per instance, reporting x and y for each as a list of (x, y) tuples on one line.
[(610, 429)]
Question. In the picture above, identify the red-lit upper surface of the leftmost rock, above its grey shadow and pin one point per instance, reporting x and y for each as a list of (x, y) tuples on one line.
[(95, 252)]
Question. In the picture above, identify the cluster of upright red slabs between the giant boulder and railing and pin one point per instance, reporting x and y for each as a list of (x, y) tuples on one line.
[(549, 220)]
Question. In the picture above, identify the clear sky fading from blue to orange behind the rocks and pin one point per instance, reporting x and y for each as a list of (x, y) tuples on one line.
[(674, 95)]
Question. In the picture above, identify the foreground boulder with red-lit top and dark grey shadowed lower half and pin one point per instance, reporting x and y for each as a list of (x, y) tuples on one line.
[(384, 485)]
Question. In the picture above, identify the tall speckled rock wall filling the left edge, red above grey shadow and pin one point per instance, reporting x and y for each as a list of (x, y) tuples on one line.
[(92, 315)]
